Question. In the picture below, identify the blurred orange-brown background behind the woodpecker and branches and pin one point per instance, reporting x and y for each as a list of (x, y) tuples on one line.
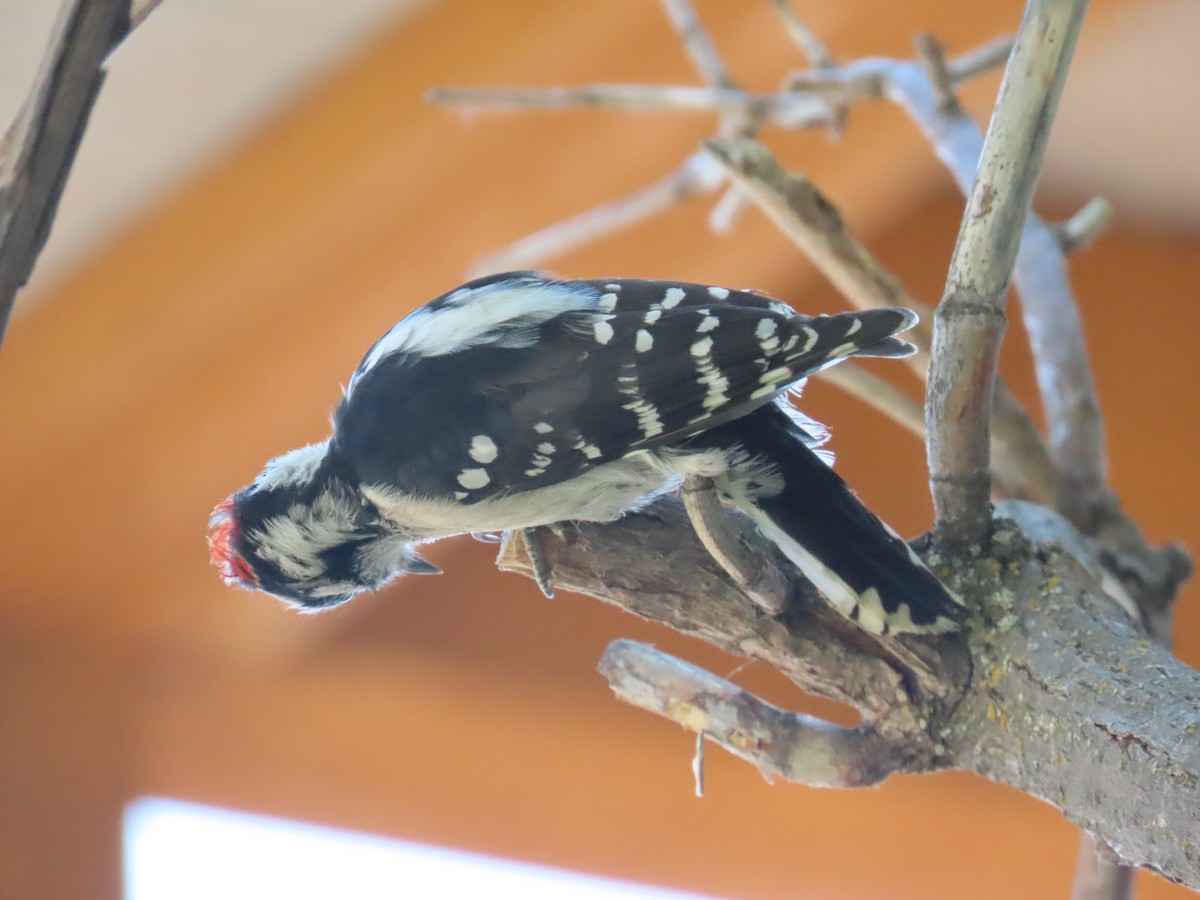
[(465, 711)]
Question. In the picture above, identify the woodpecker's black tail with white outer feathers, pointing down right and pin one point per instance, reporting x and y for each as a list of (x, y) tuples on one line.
[(862, 567)]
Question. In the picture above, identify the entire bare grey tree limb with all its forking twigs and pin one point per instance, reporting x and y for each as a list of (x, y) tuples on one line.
[(919, 697)]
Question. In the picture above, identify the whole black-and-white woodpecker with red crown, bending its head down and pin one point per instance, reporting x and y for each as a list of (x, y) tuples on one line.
[(521, 400)]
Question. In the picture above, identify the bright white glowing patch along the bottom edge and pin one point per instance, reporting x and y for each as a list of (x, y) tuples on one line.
[(181, 851)]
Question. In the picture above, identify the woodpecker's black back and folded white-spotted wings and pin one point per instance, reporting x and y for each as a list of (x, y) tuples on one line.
[(520, 381)]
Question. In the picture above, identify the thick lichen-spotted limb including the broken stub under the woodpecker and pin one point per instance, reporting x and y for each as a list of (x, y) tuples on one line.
[(1053, 691)]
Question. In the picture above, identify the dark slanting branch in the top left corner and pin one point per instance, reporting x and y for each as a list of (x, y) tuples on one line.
[(41, 145)]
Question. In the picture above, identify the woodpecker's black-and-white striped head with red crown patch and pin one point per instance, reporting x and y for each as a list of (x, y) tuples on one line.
[(305, 536)]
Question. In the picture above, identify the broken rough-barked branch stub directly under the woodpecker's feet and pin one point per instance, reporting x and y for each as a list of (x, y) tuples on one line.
[(653, 565)]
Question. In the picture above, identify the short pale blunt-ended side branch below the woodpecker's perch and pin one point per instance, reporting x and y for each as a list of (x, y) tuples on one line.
[(791, 746)]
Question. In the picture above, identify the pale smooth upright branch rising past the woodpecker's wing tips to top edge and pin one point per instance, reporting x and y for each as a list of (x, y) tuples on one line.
[(970, 321)]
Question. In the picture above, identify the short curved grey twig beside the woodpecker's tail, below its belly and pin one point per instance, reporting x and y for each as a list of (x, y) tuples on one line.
[(761, 581)]
